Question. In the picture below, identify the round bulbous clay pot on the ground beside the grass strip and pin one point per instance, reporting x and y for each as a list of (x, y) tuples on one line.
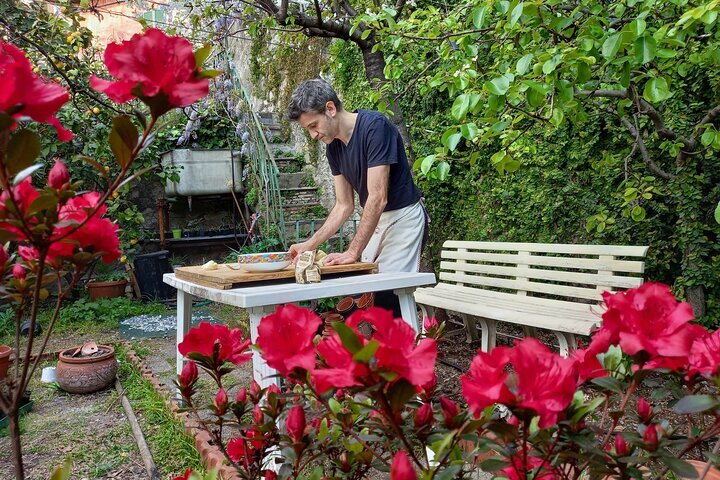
[(86, 374)]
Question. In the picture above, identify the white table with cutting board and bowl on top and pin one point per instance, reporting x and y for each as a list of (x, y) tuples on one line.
[(263, 299)]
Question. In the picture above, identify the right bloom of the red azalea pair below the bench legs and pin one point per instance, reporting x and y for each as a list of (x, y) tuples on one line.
[(546, 382)]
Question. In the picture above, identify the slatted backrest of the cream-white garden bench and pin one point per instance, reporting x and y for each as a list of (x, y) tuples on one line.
[(542, 269)]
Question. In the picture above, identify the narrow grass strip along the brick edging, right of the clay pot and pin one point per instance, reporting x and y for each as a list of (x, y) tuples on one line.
[(172, 450)]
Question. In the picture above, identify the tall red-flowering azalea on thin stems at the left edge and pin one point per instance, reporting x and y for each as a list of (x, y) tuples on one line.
[(52, 232)]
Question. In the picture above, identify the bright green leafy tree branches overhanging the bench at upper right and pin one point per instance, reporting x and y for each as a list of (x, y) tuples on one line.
[(650, 67)]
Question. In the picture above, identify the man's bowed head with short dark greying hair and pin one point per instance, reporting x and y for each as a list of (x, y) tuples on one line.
[(315, 105)]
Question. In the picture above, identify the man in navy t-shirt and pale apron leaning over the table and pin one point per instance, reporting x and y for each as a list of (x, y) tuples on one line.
[(366, 155)]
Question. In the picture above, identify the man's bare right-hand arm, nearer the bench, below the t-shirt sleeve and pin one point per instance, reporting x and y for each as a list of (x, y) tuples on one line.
[(378, 181)]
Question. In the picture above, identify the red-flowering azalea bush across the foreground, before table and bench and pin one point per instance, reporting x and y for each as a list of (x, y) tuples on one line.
[(351, 405)]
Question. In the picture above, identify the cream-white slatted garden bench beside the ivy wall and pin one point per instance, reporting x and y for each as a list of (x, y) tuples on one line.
[(535, 285)]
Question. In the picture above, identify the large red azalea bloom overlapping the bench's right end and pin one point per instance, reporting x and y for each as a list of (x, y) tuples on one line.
[(649, 319)]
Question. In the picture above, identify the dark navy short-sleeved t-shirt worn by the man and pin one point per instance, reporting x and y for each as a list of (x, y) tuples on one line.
[(375, 141)]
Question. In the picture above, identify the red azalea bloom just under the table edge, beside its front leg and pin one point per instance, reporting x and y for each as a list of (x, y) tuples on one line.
[(286, 338)]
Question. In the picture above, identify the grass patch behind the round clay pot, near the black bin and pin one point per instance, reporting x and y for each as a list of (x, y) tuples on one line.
[(83, 316)]
